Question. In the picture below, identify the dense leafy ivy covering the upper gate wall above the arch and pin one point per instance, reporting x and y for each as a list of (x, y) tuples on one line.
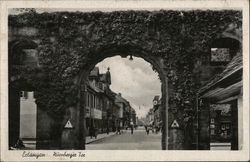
[(70, 42)]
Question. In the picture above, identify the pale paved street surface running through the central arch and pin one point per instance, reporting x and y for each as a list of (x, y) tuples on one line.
[(127, 141)]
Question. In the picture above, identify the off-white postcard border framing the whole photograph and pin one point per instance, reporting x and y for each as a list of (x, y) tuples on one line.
[(111, 5)]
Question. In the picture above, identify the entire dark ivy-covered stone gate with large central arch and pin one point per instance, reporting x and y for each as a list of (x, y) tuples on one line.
[(53, 53)]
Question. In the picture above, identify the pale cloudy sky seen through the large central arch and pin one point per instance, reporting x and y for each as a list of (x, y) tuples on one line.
[(135, 80)]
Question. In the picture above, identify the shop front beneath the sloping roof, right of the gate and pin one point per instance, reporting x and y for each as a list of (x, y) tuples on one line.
[(223, 126)]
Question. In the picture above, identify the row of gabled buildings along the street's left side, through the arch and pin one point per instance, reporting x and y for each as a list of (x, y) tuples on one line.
[(105, 109)]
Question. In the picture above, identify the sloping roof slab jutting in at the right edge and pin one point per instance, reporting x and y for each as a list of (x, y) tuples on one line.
[(234, 66)]
